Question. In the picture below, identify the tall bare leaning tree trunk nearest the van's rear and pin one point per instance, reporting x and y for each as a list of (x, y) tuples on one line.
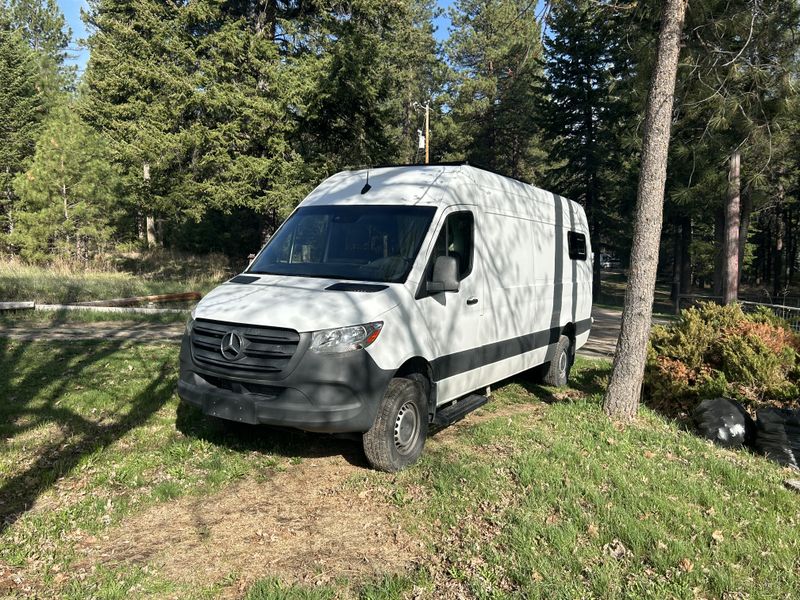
[(621, 401)]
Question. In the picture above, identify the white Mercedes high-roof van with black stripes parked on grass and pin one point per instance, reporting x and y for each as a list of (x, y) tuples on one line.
[(387, 299)]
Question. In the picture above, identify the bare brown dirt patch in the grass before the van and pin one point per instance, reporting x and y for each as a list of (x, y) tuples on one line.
[(303, 525)]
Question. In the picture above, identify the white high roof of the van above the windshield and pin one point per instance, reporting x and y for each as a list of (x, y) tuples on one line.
[(431, 185)]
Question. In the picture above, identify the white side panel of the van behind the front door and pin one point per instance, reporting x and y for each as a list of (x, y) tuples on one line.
[(533, 288)]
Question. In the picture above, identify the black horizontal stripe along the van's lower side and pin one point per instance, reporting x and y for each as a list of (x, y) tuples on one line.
[(467, 360)]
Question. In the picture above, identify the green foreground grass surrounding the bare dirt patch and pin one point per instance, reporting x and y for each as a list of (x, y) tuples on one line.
[(524, 498)]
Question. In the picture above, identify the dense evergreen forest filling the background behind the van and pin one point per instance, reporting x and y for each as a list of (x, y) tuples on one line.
[(201, 124)]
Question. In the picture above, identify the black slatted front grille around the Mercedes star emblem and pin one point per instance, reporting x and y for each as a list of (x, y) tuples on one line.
[(266, 350)]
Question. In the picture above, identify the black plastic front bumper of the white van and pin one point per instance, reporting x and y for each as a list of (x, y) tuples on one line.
[(329, 393)]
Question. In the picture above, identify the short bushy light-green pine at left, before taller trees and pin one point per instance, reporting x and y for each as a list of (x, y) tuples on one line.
[(67, 196)]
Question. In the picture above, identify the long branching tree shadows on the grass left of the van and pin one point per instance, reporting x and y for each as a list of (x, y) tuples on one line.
[(25, 406)]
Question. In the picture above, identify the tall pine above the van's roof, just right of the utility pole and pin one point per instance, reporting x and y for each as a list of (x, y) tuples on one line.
[(495, 51)]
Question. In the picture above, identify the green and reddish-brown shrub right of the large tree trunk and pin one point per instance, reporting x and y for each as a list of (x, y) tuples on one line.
[(716, 351)]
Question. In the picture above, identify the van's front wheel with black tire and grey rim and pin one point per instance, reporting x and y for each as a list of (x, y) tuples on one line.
[(397, 437)]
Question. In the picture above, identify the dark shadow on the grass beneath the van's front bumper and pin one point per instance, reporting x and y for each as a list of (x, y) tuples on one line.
[(278, 441)]
